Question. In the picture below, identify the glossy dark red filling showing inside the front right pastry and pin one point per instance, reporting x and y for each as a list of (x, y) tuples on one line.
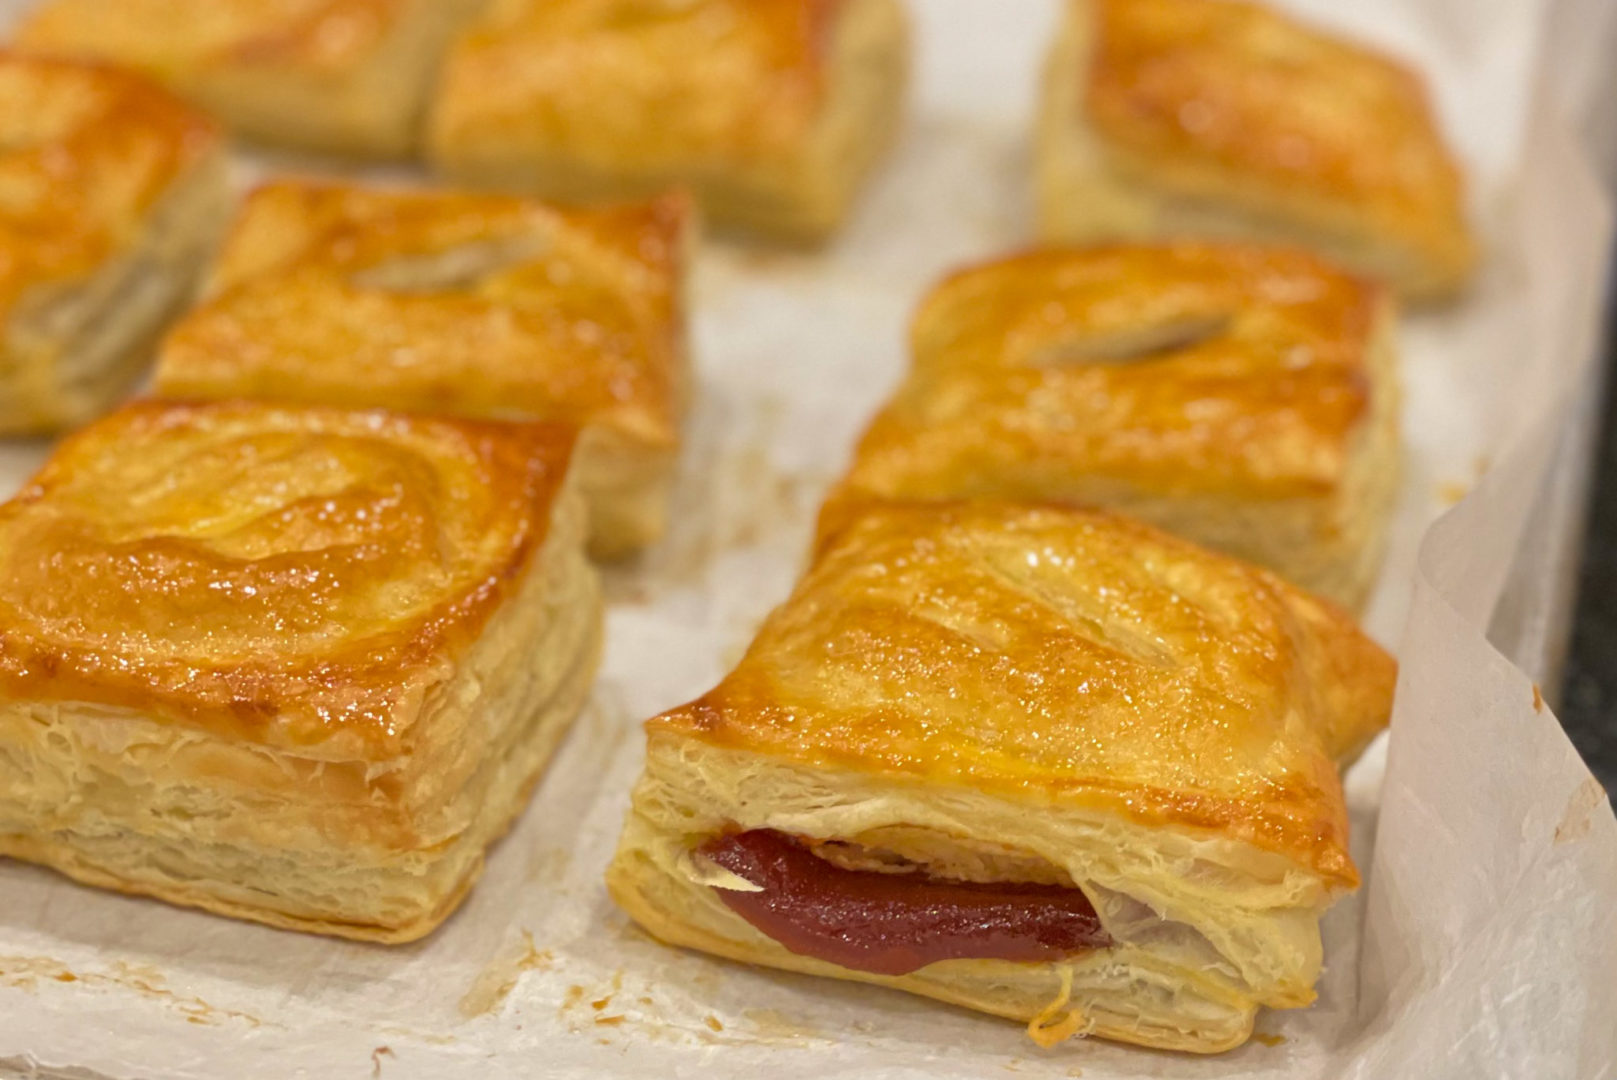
[(893, 924)]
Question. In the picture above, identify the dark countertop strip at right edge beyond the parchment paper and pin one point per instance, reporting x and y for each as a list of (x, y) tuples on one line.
[(1589, 704)]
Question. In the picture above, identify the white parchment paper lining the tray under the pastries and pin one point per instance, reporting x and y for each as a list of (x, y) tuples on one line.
[(1485, 943)]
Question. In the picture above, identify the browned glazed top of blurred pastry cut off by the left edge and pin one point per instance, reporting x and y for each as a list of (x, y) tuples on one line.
[(85, 154)]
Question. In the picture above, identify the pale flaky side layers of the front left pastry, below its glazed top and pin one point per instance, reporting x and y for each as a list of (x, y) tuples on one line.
[(378, 850)]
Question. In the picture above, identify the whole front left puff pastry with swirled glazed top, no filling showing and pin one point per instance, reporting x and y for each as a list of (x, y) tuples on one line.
[(290, 665)]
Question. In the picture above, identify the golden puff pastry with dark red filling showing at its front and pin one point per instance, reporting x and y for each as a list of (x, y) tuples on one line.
[(1094, 732)]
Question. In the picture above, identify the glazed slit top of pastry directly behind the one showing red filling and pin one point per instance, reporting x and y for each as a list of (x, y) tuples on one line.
[(1178, 369)]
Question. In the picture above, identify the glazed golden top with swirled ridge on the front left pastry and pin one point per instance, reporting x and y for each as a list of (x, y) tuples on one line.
[(292, 576)]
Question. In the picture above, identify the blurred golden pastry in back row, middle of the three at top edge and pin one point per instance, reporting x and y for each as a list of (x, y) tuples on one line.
[(771, 111)]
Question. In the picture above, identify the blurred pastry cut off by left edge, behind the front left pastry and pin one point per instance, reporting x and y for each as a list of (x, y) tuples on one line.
[(111, 196)]
